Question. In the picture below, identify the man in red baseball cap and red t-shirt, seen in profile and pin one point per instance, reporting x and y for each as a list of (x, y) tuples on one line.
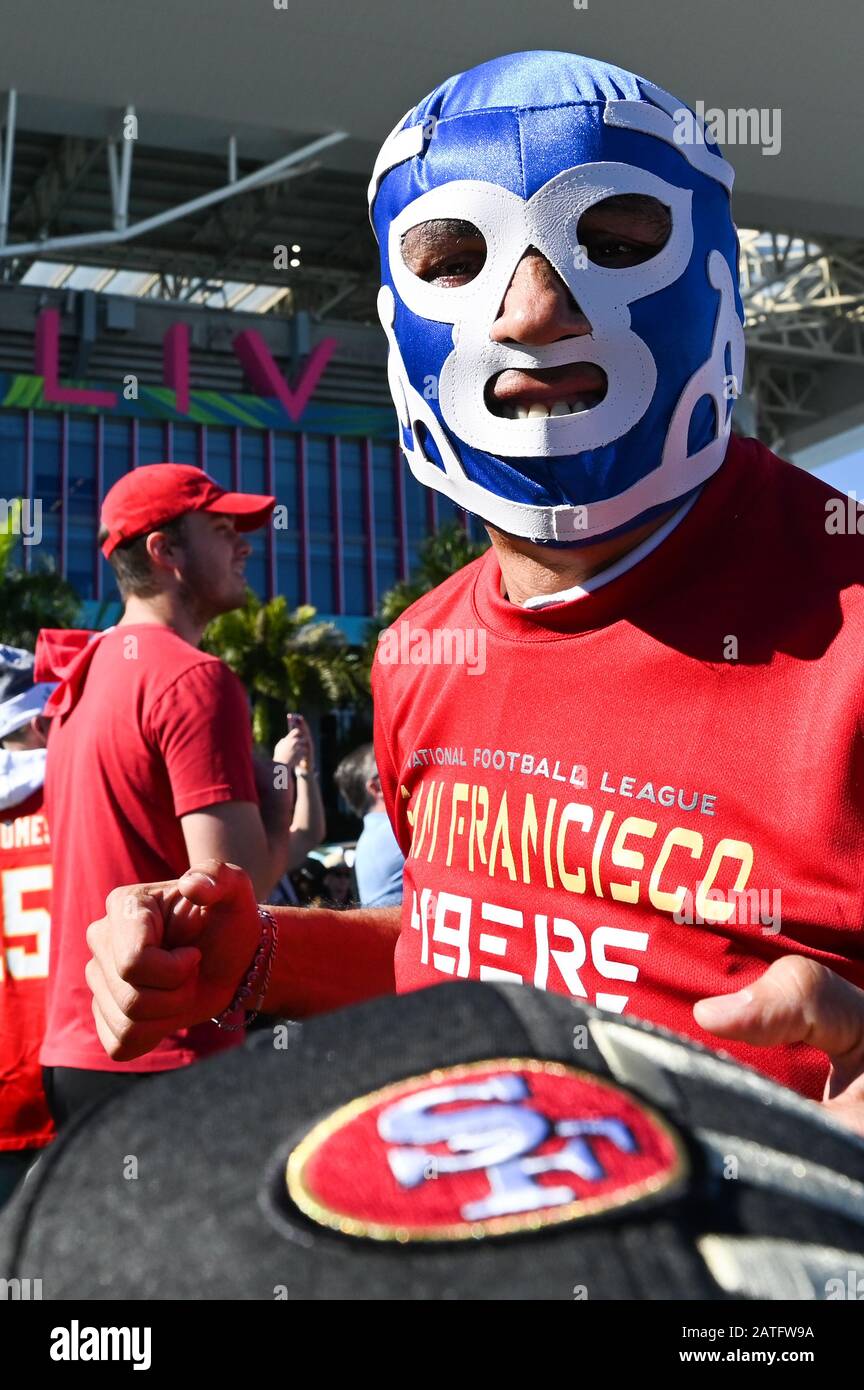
[(151, 762)]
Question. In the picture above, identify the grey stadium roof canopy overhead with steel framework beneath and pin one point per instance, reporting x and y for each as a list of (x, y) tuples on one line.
[(224, 90)]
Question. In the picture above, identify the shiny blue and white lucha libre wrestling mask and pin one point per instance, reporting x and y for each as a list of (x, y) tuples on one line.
[(522, 148)]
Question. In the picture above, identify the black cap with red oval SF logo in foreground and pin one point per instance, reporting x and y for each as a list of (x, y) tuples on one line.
[(456, 1143)]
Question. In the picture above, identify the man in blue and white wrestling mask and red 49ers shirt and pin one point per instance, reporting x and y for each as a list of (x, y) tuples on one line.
[(620, 751)]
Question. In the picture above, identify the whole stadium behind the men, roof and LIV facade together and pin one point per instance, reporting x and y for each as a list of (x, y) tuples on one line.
[(188, 272)]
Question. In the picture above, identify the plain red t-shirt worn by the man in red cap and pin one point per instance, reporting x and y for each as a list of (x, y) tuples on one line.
[(158, 730)]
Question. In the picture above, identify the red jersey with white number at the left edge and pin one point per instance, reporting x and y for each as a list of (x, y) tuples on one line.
[(26, 925)]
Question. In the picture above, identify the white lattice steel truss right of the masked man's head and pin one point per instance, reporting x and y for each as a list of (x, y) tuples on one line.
[(805, 320)]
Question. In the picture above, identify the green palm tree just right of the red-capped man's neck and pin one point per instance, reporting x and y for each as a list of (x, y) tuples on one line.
[(287, 662)]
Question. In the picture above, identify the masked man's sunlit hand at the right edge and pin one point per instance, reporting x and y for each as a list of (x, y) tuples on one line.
[(801, 1001)]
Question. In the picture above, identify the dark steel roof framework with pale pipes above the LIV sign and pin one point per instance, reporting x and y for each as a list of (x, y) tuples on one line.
[(212, 248)]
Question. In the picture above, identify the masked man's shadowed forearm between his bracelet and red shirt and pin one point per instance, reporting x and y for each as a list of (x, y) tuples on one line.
[(327, 960)]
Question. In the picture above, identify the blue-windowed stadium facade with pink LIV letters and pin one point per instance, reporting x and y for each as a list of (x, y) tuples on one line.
[(117, 382)]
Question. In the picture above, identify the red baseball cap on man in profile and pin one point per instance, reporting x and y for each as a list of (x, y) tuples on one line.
[(147, 498)]
